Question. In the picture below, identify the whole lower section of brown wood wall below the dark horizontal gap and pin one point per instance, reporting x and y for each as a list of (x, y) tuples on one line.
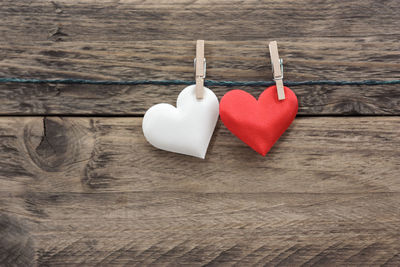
[(91, 191)]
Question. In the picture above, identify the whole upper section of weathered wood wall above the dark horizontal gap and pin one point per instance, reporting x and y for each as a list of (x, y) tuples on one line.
[(125, 40)]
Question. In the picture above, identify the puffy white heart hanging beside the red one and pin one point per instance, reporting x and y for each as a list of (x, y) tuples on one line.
[(186, 129)]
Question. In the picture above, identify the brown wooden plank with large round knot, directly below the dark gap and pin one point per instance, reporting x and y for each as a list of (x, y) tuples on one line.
[(111, 154)]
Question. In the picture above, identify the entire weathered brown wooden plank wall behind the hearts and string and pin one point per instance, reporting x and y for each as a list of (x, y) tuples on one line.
[(80, 186)]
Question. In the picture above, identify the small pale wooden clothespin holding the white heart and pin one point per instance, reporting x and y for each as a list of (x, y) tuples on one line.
[(200, 69)]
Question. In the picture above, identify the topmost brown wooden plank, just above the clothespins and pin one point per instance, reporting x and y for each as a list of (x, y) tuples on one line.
[(135, 20)]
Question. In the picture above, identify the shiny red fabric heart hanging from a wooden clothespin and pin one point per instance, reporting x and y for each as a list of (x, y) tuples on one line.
[(260, 123)]
